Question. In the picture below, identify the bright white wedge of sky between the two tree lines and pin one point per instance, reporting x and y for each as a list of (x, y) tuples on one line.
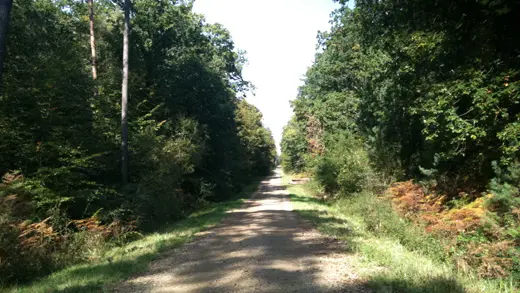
[(279, 37)]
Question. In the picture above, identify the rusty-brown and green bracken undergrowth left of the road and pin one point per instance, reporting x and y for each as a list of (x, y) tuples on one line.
[(31, 246)]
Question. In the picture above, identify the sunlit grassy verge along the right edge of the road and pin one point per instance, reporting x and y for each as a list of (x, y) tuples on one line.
[(392, 254)]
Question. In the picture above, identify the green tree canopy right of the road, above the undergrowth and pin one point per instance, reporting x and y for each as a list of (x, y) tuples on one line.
[(414, 79)]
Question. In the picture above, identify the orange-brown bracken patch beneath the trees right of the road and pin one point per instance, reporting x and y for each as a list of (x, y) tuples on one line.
[(473, 229)]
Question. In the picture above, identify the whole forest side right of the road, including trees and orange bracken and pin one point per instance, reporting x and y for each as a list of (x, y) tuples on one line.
[(415, 104)]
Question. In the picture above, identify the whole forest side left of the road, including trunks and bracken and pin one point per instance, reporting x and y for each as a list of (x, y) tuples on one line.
[(116, 117)]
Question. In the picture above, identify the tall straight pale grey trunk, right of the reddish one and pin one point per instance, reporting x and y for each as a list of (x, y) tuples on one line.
[(124, 96)]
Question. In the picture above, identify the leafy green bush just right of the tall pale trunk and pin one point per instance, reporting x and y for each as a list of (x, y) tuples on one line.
[(163, 164)]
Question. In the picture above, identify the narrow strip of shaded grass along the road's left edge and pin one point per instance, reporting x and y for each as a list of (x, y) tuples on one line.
[(123, 262)]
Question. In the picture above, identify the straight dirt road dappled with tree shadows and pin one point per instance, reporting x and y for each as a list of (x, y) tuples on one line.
[(262, 247)]
